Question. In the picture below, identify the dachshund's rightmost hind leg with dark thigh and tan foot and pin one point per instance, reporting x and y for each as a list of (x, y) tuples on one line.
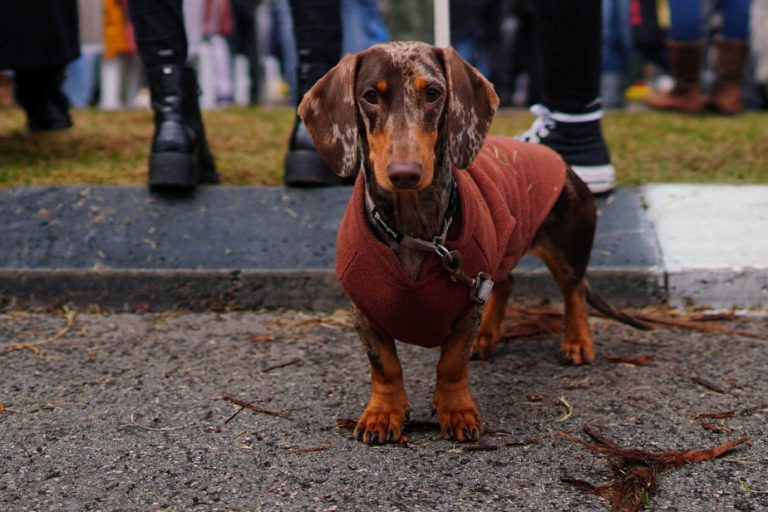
[(564, 242)]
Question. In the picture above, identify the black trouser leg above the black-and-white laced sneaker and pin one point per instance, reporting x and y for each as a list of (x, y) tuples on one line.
[(568, 39)]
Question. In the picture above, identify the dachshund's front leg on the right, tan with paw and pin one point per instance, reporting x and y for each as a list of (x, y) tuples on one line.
[(456, 411)]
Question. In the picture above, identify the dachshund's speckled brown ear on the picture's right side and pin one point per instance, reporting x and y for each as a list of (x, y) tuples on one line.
[(472, 102)]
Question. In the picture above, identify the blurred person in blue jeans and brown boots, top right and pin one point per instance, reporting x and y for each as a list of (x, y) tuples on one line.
[(685, 46)]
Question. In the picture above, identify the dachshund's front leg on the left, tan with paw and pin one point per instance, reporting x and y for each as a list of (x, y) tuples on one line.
[(383, 418)]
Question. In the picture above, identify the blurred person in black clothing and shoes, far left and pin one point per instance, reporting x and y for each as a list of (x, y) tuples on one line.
[(38, 38)]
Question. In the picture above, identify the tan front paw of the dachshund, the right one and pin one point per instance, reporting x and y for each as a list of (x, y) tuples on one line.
[(458, 415)]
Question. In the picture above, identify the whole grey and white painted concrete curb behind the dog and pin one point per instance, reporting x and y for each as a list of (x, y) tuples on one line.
[(120, 248)]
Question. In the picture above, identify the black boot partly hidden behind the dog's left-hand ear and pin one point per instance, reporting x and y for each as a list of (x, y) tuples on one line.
[(303, 165)]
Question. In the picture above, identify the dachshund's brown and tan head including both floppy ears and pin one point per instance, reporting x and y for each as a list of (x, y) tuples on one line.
[(400, 106)]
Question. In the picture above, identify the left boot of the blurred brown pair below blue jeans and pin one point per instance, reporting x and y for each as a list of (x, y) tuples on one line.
[(684, 66)]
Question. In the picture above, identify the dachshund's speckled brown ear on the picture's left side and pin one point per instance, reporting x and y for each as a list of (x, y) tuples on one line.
[(328, 112)]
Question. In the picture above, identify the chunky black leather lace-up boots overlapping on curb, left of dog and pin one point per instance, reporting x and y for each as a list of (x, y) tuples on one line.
[(180, 157)]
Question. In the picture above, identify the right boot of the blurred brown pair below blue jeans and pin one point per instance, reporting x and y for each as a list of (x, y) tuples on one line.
[(729, 73)]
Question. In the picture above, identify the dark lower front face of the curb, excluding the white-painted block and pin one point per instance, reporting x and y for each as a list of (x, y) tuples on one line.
[(220, 290)]
